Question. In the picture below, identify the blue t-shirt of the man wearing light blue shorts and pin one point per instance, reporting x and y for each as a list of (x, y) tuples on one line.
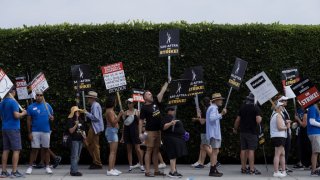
[(40, 117)]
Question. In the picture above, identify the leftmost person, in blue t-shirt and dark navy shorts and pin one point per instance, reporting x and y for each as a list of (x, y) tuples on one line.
[(10, 116)]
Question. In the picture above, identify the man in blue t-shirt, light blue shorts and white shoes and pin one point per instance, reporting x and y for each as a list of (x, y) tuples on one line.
[(40, 114)]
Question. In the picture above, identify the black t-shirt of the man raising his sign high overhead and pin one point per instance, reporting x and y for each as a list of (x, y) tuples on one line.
[(152, 115)]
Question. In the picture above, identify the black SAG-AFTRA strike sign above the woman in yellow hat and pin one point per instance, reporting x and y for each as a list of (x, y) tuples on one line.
[(81, 76)]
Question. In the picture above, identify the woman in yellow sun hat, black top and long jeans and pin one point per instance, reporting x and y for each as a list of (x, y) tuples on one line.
[(77, 136)]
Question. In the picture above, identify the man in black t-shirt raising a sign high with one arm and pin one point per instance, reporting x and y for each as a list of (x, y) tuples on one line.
[(151, 114)]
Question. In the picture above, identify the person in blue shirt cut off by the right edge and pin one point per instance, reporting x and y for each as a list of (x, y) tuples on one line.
[(313, 131)]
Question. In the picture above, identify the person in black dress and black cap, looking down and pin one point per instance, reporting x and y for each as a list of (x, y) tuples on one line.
[(173, 141)]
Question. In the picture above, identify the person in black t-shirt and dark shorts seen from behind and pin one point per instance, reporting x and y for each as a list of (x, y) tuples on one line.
[(249, 117)]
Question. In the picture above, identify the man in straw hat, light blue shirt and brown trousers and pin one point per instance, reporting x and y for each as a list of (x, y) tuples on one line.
[(95, 129)]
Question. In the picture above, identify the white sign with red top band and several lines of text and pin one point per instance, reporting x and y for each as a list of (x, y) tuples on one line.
[(114, 77)]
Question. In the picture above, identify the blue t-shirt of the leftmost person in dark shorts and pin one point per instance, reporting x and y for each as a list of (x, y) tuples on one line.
[(7, 107)]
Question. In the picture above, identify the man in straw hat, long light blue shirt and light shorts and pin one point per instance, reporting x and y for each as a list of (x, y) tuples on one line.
[(213, 131)]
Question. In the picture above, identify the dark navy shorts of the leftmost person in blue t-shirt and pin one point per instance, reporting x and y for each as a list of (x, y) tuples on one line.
[(11, 140)]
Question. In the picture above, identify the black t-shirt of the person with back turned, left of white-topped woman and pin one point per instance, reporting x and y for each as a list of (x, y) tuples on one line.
[(248, 113)]
